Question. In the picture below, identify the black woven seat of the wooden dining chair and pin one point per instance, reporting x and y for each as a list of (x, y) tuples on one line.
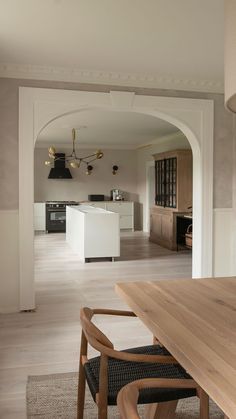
[(121, 373)]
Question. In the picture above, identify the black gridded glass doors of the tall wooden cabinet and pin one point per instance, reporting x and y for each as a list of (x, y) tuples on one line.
[(165, 182)]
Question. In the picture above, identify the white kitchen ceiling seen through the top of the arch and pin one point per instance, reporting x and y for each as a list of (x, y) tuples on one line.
[(105, 129)]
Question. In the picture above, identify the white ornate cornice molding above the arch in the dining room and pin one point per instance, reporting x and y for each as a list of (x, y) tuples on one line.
[(64, 74)]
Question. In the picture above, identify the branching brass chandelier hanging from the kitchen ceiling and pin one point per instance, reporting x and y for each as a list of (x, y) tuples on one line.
[(72, 159)]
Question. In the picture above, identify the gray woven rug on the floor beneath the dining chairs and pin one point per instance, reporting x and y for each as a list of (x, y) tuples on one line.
[(54, 396)]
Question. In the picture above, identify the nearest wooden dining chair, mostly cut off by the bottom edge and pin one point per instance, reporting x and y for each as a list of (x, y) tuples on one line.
[(128, 396)]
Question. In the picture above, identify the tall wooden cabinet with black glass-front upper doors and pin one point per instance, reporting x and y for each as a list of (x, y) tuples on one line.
[(173, 195)]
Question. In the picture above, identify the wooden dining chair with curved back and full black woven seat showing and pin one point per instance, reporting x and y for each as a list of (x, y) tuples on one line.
[(108, 373)]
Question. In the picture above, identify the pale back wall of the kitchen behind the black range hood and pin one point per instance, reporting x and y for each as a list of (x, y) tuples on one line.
[(101, 181)]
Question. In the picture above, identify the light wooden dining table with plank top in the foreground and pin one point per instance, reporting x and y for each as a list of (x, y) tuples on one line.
[(195, 319)]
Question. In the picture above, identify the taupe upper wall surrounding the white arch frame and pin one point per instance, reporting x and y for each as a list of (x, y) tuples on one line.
[(9, 191)]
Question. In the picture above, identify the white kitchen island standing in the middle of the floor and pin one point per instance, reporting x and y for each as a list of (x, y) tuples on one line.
[(92, 232)]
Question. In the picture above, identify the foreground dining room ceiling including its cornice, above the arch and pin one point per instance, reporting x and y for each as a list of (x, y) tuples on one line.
[(133, 42)]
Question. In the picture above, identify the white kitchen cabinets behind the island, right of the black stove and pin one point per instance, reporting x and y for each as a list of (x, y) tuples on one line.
[(124, 208)]
